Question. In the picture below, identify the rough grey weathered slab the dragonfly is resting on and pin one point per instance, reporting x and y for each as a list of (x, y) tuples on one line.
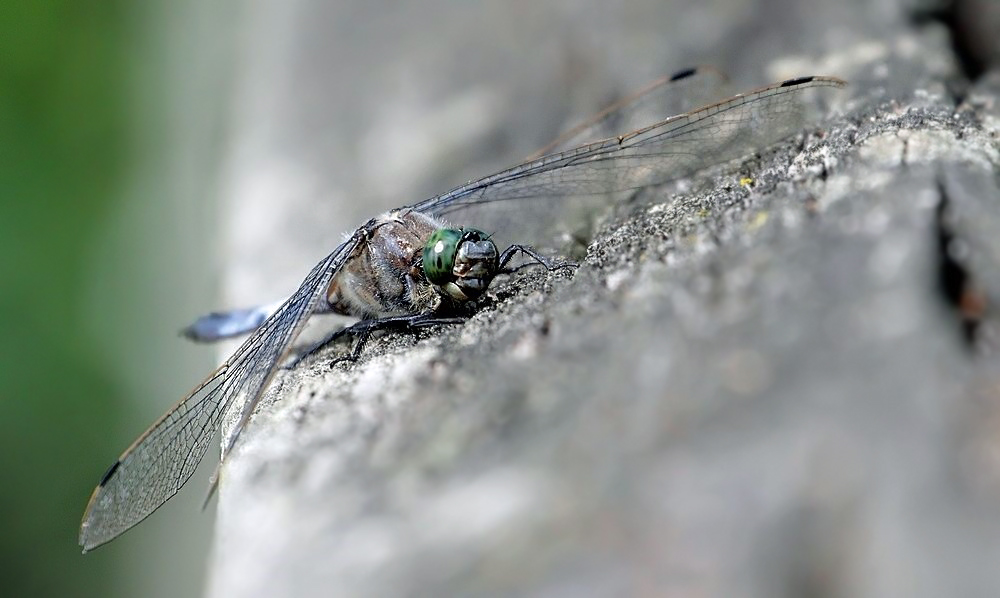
[(786, 388)]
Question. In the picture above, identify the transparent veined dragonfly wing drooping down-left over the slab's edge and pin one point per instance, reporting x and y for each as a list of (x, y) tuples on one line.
[(160, 461)]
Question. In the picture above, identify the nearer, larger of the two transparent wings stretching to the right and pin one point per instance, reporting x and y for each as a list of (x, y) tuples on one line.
[(509, 203)]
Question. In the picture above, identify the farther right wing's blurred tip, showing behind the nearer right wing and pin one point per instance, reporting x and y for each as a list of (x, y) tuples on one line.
[(673, 94)]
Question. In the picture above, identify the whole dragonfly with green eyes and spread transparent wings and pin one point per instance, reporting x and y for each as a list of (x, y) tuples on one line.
[(422, 265)]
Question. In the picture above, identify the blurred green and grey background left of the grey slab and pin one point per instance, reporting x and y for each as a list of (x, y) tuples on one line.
[(109, 124)]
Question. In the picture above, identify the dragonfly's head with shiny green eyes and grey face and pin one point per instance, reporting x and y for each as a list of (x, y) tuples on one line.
[(460, 262)]
